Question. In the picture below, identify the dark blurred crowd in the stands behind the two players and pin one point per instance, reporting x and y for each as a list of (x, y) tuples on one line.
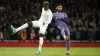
[(84, 19)]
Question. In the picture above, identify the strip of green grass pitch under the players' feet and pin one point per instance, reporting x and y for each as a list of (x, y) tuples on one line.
[(49, 52)]
